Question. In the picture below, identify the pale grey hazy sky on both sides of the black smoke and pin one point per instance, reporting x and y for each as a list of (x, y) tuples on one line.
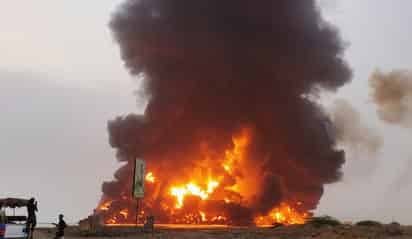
[(61, 79)]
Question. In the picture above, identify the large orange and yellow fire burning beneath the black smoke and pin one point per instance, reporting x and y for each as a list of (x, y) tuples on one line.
[(202, 197)]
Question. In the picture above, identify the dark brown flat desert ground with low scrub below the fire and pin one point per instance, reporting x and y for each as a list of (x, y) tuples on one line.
[(370, 231)]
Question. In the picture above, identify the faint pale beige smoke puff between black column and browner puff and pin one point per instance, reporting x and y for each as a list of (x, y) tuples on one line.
[(351, 130)]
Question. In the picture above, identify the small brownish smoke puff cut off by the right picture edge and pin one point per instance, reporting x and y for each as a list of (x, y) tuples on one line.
[(392, 93)]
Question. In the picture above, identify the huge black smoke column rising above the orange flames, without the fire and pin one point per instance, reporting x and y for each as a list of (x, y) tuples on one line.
[(212, 68)]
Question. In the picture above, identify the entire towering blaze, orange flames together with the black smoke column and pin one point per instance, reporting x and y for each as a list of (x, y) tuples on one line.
[(232, 133)]
